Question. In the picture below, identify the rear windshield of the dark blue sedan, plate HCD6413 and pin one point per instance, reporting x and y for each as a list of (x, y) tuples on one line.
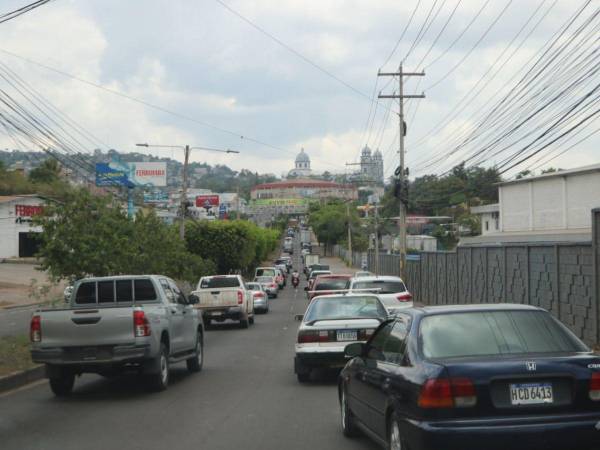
[(495, 333)]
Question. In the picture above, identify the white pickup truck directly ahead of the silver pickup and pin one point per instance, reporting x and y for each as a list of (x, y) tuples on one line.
[(223, 297)]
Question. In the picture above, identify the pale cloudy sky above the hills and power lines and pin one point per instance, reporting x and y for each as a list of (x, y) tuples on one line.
[(198, 59)]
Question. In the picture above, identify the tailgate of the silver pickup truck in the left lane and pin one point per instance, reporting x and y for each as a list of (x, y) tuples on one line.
[(94, 326)]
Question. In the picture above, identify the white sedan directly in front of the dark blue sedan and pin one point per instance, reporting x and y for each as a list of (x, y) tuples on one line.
[(330, 323)]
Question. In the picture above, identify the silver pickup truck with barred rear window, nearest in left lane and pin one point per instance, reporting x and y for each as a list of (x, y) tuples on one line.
[(115, 324)]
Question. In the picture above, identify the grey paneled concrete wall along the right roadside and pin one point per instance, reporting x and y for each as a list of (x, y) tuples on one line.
[(562, 278)]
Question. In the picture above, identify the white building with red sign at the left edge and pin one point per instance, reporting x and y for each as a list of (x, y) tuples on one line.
[(17, 234)]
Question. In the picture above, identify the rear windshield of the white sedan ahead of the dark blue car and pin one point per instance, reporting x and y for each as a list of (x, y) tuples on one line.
[(344, 307)]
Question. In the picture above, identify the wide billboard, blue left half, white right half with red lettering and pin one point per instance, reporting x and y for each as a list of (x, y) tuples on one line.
[(131, 174)]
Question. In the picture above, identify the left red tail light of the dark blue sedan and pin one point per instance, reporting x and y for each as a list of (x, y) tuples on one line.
[(448, 393)]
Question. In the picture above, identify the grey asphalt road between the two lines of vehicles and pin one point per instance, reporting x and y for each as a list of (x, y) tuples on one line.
[(246, 397)]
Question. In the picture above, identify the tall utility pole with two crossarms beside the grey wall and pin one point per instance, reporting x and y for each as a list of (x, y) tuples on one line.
[(401, 172)]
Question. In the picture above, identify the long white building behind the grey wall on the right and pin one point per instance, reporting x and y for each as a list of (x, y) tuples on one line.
[(550, 207)]
